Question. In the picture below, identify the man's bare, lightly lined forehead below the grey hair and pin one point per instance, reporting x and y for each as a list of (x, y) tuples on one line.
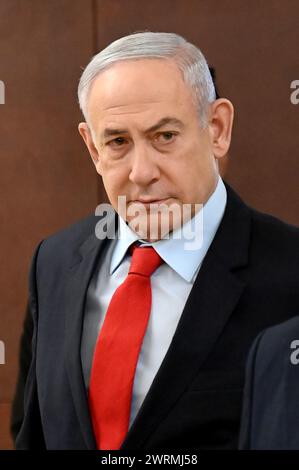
[(138, 88)]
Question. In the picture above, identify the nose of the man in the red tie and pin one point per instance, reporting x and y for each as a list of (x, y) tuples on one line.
[(144, 168)]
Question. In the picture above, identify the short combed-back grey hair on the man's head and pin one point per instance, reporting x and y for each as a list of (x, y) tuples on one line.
[(188, 58)]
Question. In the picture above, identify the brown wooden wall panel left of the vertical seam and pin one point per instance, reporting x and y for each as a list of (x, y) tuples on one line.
[(47, 179)]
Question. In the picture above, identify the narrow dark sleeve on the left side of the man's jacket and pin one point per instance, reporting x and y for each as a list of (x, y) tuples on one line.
[(31, 434)]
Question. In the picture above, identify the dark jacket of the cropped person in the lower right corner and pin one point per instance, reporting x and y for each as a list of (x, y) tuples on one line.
[(271, 399)]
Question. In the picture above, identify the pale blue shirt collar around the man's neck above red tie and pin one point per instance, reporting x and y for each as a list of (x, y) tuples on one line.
[(179, 251)]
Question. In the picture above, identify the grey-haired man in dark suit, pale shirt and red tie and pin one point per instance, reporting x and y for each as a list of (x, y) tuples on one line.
[(141, 335)]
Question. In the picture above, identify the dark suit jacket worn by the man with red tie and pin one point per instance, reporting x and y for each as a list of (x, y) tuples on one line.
[(245, 284)]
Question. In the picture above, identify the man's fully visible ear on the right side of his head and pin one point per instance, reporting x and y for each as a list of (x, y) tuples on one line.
[(220, 126)]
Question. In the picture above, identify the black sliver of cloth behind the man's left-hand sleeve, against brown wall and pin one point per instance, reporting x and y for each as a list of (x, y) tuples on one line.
[(17, 412)]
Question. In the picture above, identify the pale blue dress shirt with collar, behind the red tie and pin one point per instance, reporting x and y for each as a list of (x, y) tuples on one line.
[(171, 284)]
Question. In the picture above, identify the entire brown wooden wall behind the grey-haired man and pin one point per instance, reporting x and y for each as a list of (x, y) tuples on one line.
[(47, 179)]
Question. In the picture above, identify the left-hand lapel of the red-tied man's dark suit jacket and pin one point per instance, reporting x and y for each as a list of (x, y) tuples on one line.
[(81, 269)]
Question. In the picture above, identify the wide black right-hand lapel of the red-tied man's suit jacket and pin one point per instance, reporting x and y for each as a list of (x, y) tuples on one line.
[(210, 304)]
